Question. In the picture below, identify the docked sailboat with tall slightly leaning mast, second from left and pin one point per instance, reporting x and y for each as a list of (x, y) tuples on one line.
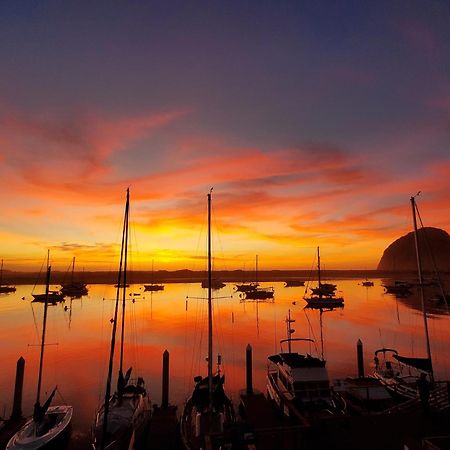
[(122, 419)]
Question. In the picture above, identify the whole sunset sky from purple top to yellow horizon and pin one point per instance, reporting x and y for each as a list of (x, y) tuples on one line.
[(314, 121)]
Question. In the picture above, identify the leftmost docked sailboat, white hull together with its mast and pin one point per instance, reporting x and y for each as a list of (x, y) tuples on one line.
[(48, 422)]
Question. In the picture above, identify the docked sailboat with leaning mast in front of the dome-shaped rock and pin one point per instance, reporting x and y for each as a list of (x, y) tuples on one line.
[(400, 374)]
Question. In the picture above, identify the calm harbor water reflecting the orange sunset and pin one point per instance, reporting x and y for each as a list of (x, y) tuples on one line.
[(77, 354)]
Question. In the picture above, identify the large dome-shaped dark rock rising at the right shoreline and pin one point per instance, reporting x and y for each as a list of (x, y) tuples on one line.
[(401, 254)]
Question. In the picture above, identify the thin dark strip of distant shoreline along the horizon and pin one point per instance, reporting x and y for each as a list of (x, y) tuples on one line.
[(184, 276)]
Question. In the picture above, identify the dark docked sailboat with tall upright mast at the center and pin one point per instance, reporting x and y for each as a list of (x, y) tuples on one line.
[(208, 413)]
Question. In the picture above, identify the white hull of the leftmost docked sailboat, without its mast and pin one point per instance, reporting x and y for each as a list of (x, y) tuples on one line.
[(29, 438)]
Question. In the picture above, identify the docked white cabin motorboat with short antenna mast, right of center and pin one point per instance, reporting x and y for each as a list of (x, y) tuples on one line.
[(299, 383)]
